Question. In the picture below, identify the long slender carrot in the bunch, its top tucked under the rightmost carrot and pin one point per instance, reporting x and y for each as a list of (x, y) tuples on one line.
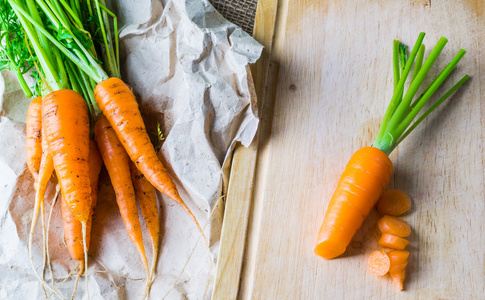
[(117, 163)]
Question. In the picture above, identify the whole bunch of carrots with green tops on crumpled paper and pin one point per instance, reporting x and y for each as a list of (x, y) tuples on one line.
[(84, 115)]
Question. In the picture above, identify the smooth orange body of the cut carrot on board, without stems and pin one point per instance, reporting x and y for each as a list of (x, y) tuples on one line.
[(365, 178)]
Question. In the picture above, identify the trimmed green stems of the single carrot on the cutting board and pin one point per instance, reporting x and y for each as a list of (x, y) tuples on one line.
[(402, 110)]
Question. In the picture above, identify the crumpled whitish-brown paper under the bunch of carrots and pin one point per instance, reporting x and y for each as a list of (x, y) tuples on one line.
[(188, 68)]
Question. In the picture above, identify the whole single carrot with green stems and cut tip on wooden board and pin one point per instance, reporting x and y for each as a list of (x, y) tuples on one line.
[(369, 170)]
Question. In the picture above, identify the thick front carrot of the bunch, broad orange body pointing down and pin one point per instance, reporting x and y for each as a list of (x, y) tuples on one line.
[(66, 128)]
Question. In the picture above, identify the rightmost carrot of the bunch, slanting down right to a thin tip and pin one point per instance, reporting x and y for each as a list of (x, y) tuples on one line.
[(119, 105)]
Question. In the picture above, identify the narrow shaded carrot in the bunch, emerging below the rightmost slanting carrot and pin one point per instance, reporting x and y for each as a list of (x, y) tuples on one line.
[(145, 193)]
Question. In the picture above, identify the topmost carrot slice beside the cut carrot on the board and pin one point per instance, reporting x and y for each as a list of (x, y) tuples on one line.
[(393, 203)]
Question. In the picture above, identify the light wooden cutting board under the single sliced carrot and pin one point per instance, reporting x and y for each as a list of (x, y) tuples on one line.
[(323, 83)]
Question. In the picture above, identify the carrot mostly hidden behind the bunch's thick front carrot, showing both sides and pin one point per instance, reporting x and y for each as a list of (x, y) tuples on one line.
[(72, 227)]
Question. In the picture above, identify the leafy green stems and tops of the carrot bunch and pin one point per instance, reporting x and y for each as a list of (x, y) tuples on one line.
[(60, 41)]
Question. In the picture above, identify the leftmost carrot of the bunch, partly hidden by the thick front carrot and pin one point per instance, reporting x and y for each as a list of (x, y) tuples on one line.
[(33, 136)]
